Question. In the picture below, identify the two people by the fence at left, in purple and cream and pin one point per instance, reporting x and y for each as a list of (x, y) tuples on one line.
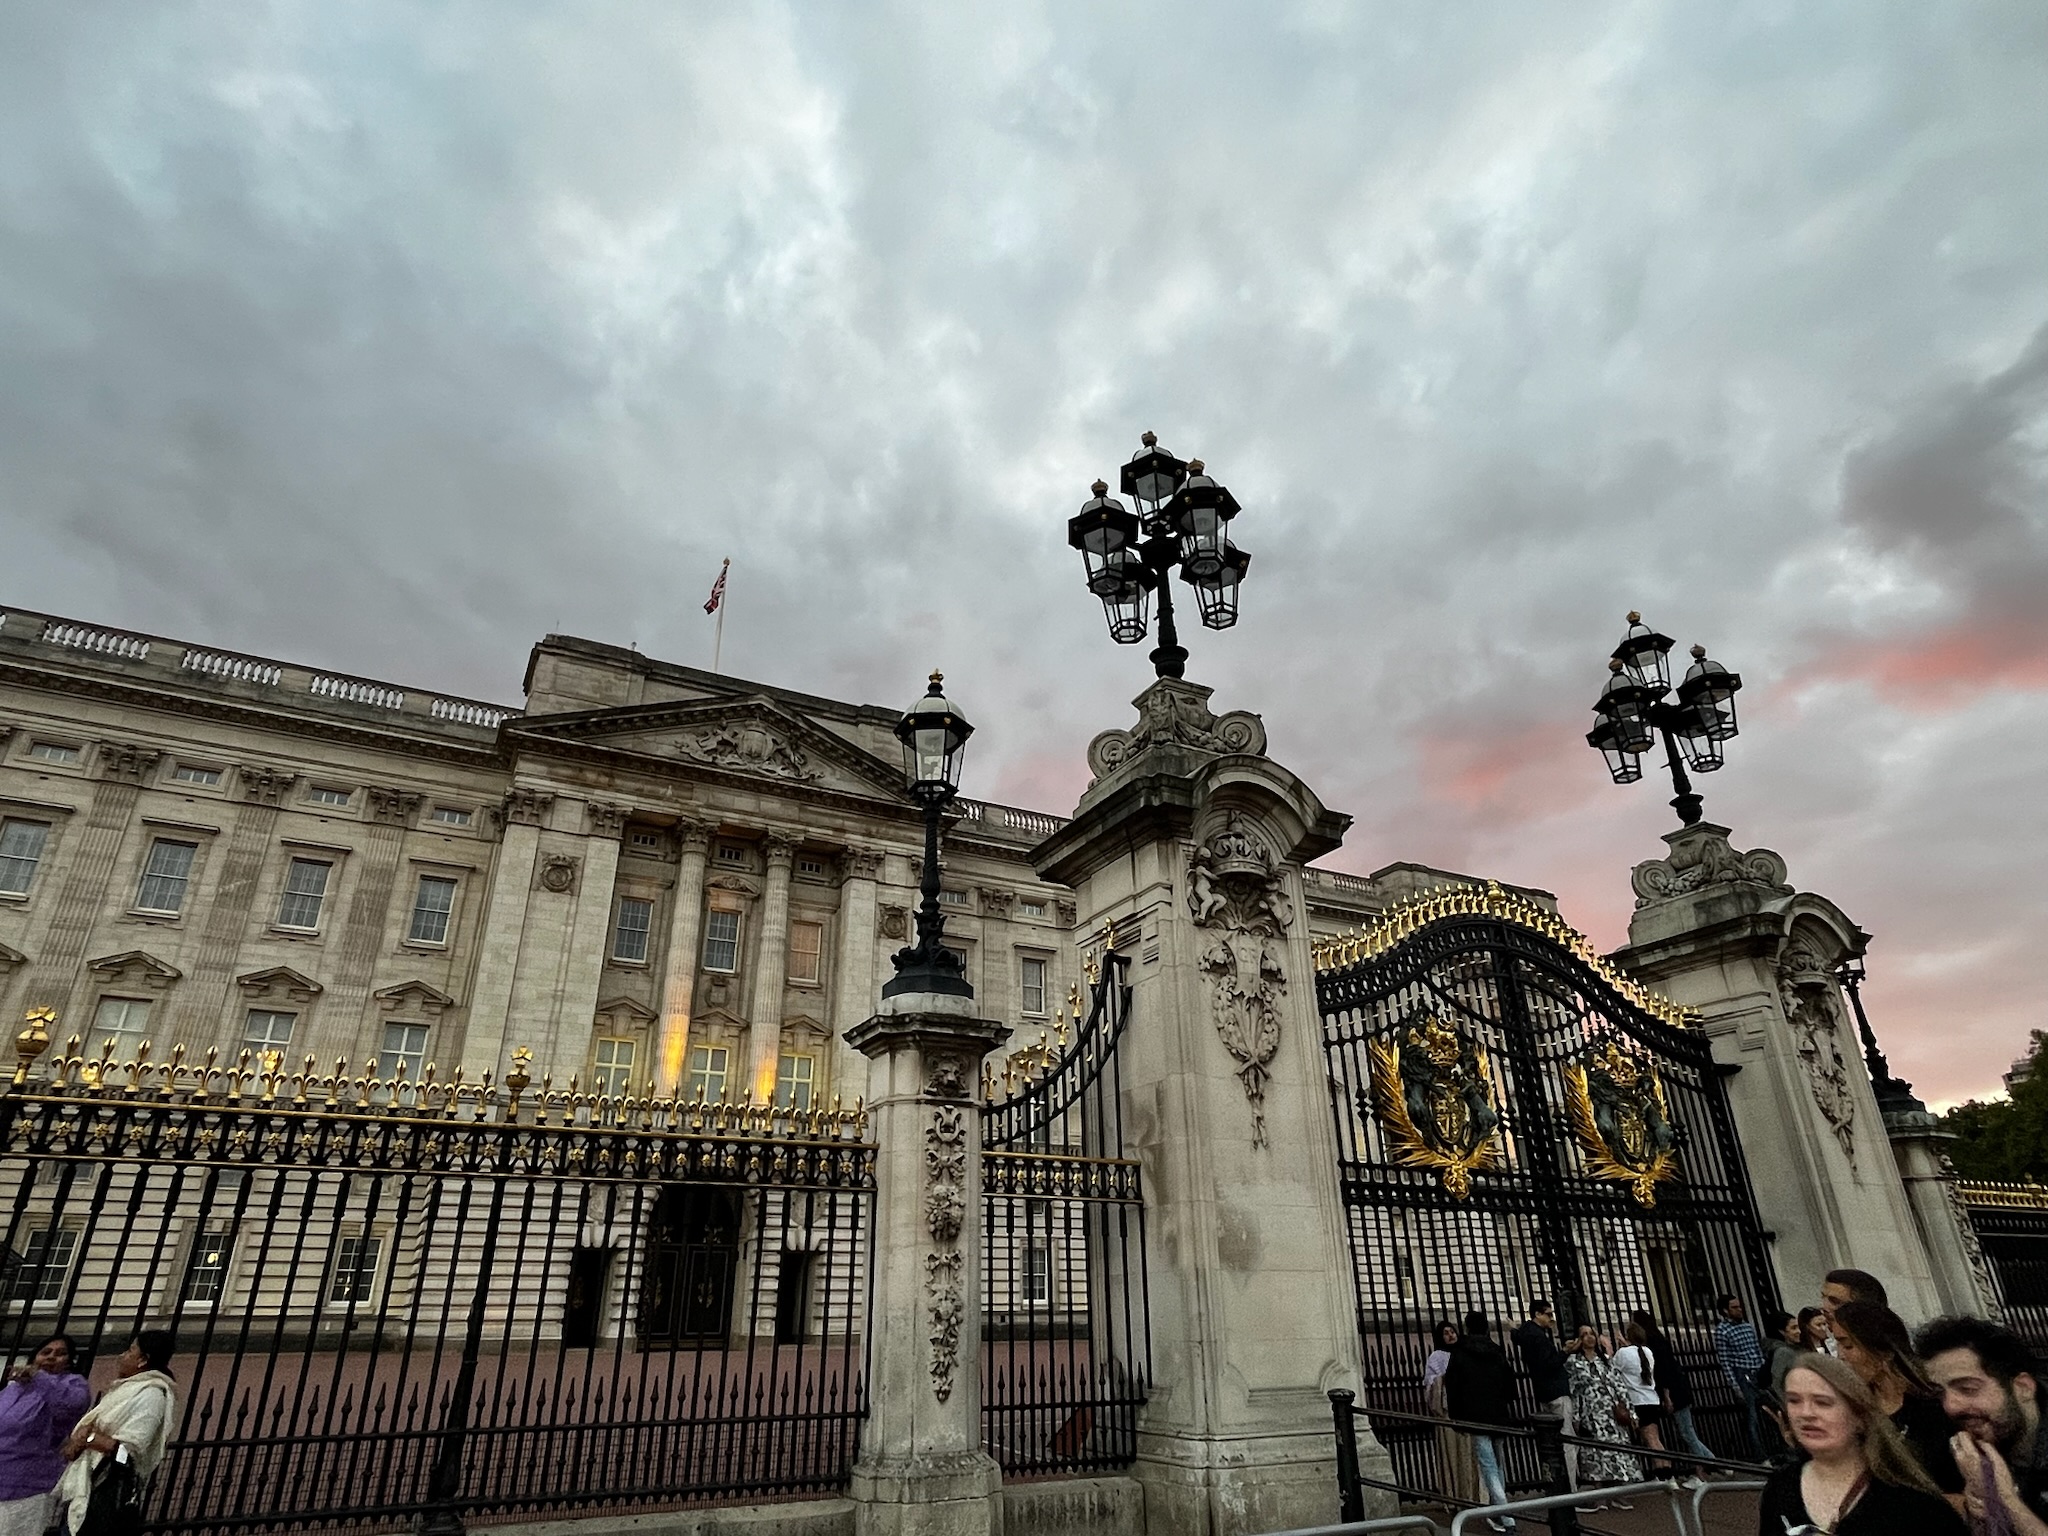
[(75, 1465)]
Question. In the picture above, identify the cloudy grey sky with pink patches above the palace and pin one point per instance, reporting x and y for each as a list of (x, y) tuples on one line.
[(396, 337)]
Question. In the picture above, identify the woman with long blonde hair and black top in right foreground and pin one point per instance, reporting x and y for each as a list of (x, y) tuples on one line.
[(1859, 1478)]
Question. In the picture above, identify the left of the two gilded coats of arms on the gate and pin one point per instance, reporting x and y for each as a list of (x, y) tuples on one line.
[(1433, 1095)]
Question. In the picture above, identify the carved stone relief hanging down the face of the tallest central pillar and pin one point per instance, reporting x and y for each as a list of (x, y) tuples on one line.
[(1236, 892)]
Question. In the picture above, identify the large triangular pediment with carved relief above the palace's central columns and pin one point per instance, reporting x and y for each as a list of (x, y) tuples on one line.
[(755, 738)]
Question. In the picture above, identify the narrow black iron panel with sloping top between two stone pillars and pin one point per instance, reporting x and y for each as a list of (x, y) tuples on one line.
[(1066, 1330)]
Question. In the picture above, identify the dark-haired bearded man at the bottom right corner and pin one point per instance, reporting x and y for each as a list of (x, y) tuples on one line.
[(1992, 1392)]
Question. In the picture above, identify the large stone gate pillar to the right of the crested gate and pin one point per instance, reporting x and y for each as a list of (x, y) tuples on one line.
[(1727, 935)]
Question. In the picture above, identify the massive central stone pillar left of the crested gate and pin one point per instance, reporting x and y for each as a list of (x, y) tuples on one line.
[(1191, 843)]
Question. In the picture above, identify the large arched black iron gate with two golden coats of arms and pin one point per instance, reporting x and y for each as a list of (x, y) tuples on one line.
[(1517, 1119)]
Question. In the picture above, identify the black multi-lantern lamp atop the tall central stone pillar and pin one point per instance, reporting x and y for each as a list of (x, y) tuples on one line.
[(1183, 519)]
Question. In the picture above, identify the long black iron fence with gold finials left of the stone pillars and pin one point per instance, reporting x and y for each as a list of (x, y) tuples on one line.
[(413, 1302)]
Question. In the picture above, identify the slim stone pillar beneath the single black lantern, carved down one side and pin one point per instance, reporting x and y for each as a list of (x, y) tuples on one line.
[(923, 1469)]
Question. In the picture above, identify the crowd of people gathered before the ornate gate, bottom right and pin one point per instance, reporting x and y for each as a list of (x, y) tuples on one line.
[(1869, 1426)]
